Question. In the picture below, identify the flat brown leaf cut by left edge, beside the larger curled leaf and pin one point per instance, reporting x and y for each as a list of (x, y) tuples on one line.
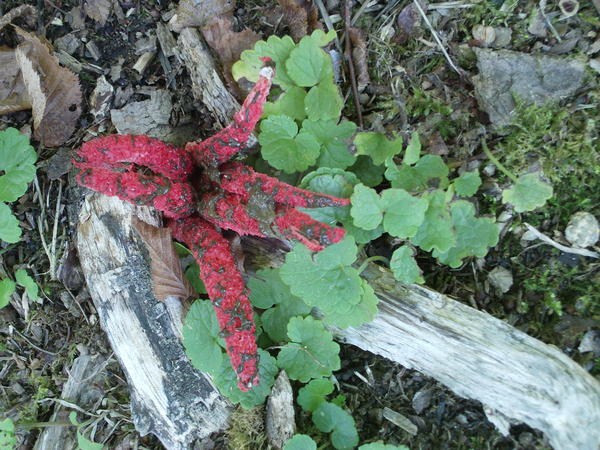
[(13, 95)]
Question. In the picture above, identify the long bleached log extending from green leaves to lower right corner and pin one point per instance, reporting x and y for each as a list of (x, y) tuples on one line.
[(480, 357)]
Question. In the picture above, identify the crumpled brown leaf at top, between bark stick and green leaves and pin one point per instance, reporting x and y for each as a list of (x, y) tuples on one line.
[(228, 45)]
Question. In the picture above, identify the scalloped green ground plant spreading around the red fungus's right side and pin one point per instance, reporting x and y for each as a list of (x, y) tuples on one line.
[(420, 205)]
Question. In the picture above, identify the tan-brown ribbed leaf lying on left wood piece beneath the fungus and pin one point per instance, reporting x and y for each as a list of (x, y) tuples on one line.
[(167, 275)]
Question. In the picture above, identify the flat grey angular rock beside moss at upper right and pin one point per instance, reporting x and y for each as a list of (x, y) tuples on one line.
[(505, 75)]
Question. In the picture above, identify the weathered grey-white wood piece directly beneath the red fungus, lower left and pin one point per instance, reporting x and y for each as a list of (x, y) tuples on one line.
[(169, 398)]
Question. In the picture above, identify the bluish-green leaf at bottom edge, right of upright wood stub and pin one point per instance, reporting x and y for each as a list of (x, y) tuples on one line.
[(331, 418)]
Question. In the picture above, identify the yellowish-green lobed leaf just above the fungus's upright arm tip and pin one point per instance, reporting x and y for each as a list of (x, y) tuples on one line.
[(278, 49)]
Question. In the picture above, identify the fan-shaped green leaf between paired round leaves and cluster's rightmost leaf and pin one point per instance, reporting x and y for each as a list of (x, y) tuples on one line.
[(436, 231)]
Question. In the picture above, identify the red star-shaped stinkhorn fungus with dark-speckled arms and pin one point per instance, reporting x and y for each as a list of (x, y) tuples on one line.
[(146, 171)]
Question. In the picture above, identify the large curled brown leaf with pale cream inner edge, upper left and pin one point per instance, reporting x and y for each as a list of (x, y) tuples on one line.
[(54, 91)]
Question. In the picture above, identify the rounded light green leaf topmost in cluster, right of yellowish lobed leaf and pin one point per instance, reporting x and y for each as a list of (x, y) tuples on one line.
[(306, 63)]
